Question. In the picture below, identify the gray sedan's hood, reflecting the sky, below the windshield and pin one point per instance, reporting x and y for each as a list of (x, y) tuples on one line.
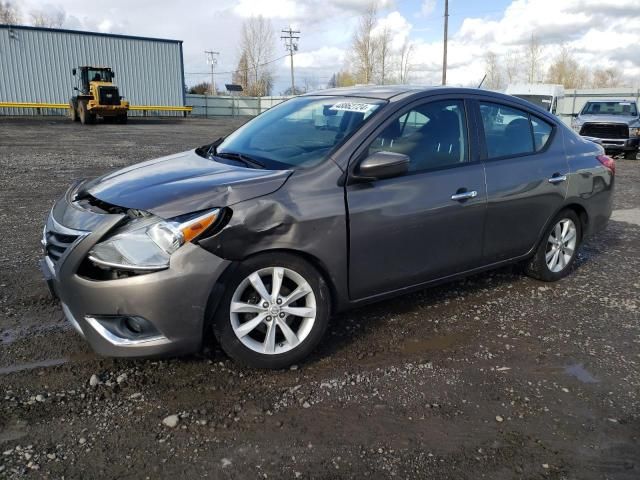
[(183, 183)]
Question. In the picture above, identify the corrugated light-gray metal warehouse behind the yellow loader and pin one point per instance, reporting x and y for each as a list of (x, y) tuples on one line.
[(36, 65)]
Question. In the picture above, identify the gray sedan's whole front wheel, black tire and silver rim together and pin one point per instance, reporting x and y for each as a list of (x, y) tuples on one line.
[(274, 311)]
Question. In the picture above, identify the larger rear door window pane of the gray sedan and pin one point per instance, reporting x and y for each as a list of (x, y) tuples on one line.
[(507, 131)]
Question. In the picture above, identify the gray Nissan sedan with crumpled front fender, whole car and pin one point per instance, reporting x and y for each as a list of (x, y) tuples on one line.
[(326, 202)]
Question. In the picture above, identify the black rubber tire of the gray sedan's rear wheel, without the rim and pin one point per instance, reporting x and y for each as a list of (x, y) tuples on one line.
[(537, 266)]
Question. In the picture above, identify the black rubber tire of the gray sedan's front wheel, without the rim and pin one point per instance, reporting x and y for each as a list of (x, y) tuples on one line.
[(222, 323)]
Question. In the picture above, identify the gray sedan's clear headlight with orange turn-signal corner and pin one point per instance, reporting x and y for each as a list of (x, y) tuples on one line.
[(147, 243)]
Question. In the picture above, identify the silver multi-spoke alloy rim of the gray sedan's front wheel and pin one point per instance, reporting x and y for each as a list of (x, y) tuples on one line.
[(273, 310)]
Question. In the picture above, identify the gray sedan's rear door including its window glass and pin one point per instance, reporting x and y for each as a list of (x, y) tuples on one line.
[(526, 169)]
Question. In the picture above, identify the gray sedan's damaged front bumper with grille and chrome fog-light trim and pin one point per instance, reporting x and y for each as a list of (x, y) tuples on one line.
[(151, 314)]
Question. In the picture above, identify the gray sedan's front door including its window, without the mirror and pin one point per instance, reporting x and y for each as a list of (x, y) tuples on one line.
[(428, 223)]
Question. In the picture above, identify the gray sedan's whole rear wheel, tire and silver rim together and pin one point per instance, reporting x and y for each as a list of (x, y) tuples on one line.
[(557, 250)]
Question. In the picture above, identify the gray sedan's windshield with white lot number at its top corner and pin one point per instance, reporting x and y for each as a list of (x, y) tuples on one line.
[(300, 132)]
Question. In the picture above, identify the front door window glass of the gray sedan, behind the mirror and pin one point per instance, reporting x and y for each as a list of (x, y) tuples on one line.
[(433, 135)]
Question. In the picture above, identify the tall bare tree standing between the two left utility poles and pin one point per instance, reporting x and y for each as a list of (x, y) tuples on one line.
[(257, 44)]
